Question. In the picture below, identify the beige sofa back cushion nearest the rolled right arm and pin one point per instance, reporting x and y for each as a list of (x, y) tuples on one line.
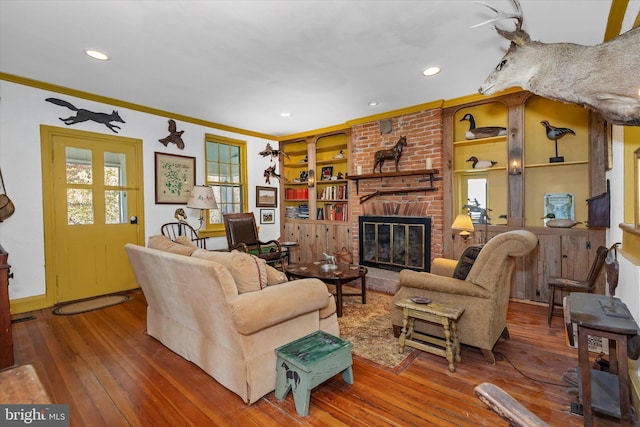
[(248, 271)]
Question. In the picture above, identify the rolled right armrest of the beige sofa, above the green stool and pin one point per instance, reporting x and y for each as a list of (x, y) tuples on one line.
[(254, 311)]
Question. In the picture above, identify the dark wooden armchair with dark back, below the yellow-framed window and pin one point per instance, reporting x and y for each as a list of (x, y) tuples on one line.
[(242, 234)]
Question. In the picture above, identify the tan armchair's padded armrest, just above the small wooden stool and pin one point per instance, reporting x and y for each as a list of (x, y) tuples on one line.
[(436, 283)]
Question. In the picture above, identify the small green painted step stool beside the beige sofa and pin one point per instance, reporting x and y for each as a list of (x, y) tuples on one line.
[(307, 362)]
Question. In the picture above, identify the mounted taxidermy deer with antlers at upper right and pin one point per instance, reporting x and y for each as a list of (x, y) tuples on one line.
[(604, 77)]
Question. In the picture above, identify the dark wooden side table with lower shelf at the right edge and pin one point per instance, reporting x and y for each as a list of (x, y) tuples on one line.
[(605, 392)]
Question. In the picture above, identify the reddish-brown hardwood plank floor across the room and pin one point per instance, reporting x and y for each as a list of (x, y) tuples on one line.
[(113, 374)]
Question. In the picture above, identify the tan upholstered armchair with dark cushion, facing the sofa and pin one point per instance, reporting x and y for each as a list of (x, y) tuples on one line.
[(484, 294)]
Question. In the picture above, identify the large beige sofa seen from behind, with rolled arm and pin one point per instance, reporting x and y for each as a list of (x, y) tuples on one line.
[(195, 308)]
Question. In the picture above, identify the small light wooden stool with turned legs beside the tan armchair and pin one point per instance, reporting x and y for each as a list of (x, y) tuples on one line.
[(441, 314)]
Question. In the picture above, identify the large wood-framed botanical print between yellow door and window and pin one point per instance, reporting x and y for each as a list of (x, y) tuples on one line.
[(175, 177)]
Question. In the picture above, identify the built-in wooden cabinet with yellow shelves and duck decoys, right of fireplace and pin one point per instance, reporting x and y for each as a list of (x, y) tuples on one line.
[(517, 184)]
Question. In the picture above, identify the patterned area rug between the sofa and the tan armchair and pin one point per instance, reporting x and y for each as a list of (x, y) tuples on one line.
[(368, 327)]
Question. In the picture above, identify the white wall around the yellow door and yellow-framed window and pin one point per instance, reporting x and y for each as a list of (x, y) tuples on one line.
[(23, 109)]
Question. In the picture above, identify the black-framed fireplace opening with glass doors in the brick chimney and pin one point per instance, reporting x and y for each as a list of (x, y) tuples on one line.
[(395, 243)]
